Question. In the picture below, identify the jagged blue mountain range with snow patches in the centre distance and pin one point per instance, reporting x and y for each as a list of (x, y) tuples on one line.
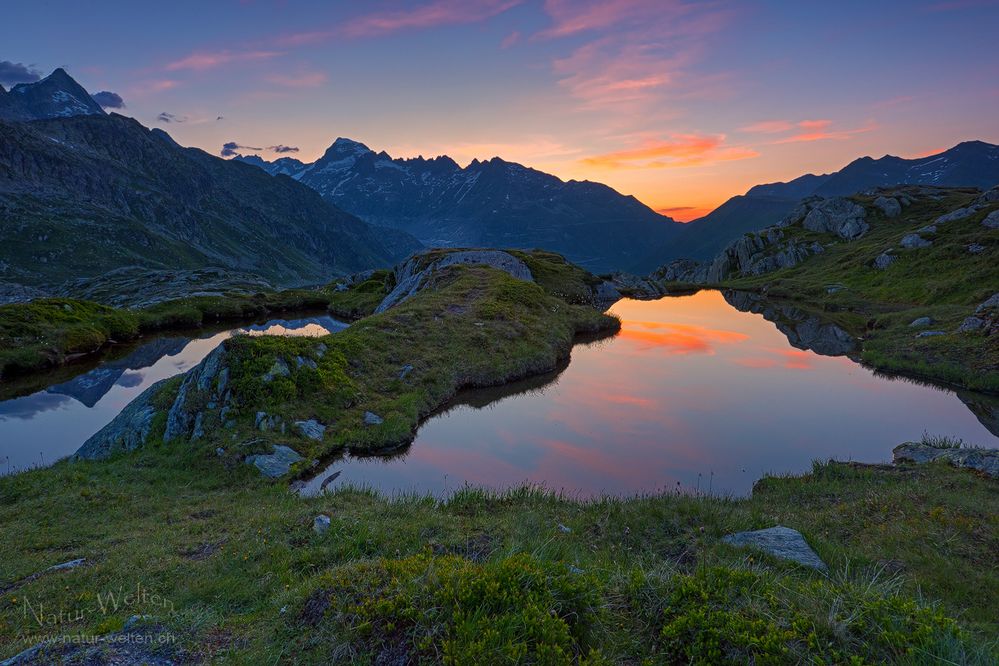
[(491, 203)]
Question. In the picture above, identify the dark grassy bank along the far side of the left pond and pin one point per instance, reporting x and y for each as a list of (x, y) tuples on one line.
[(49, 332)]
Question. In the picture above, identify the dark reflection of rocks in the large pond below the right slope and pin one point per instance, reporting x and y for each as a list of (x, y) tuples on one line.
[(803, 330)]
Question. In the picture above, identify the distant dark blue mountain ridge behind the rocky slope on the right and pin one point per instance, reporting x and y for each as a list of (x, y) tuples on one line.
[(968, 164)]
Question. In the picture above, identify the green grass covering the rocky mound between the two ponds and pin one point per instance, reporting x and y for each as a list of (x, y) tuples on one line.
[(476, 326)]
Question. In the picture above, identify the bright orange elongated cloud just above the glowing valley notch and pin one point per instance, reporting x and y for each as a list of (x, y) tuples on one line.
[(680, 150)]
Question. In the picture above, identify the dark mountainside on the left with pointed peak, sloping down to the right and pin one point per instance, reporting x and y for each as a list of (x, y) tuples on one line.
[(85, 193)]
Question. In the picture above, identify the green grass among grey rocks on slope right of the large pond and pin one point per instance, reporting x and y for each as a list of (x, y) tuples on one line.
[(944, 282)]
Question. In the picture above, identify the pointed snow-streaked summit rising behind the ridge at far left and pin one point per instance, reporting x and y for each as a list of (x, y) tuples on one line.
[(55, 96)]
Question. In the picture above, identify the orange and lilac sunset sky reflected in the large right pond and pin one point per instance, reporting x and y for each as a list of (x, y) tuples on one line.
[(690, 391)]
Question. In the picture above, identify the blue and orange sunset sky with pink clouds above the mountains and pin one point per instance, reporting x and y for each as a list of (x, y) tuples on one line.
[(681, 104)]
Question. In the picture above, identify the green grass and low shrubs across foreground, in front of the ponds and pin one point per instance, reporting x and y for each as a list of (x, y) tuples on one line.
[(521, 576)]
